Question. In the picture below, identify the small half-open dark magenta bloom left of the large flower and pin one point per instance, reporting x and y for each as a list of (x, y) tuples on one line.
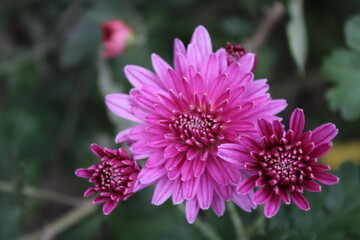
[(113, 177)]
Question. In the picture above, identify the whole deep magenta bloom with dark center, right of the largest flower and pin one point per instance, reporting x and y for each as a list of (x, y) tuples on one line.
[(285, 162)]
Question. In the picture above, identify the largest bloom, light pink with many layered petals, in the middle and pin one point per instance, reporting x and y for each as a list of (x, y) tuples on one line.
[(184, 113)]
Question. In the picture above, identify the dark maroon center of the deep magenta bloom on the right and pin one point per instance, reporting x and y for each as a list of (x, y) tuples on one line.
[(285, 166)]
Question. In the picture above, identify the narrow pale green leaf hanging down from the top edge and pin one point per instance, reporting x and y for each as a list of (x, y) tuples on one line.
[(296, 34)]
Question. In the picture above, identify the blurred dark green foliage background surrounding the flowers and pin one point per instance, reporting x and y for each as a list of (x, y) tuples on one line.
[(52, 86)]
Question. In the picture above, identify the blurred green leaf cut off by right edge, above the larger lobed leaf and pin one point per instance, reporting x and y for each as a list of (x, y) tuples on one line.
[(352, 33)]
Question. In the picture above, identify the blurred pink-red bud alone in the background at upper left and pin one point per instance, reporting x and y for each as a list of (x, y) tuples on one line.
[(115, 37)]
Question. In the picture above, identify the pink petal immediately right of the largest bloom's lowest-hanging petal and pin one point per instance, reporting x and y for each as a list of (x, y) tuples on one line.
[(205, 192)]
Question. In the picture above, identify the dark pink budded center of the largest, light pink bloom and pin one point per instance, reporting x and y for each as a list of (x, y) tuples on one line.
[(197, 129)]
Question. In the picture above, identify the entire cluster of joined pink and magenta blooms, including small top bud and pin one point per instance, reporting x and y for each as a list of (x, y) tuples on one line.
[(210, 134)]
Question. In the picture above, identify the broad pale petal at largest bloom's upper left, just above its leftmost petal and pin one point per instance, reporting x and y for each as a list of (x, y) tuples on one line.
[(139, 76)]
